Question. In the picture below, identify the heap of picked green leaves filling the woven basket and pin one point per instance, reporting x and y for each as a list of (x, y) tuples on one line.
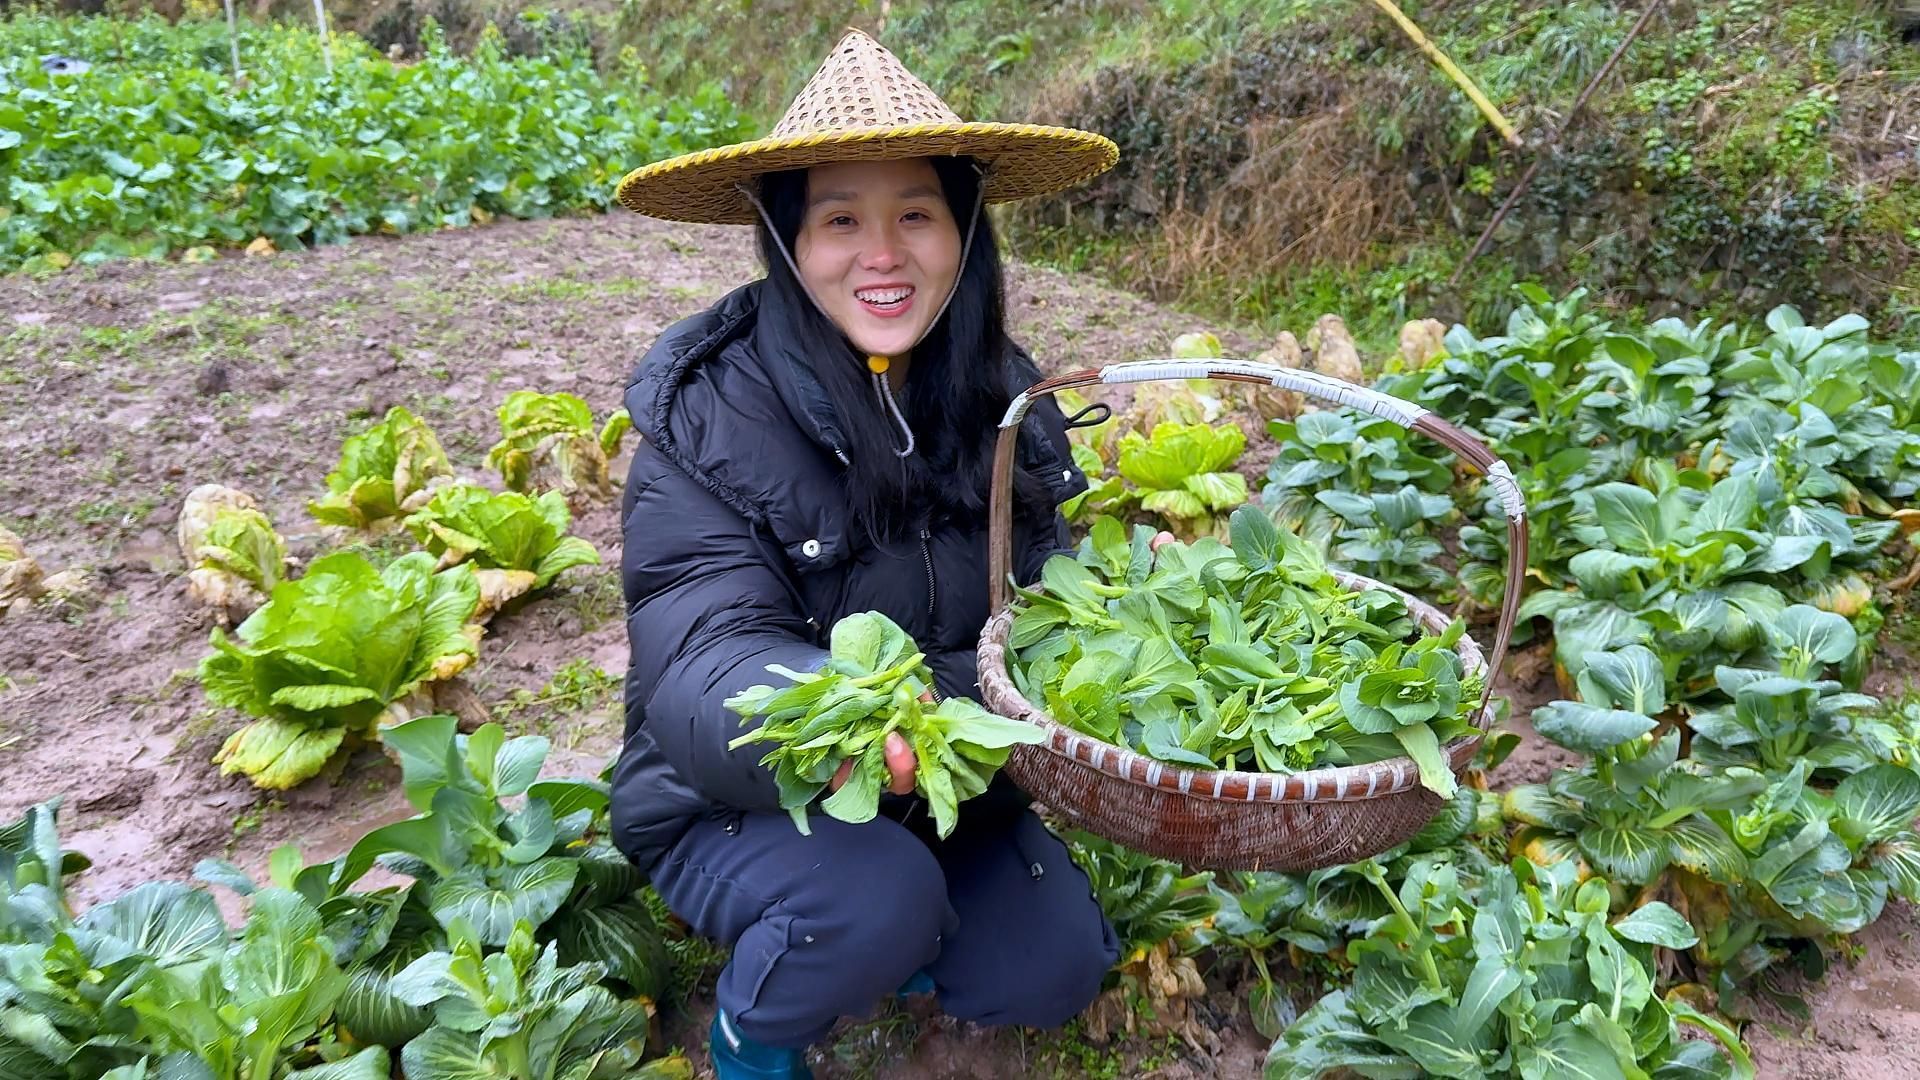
[(1237, 658)]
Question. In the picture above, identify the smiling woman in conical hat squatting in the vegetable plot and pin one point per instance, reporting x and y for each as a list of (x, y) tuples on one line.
[(819, 445)]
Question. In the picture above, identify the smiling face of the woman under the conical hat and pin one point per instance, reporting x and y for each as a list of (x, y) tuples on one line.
[(878, 249)]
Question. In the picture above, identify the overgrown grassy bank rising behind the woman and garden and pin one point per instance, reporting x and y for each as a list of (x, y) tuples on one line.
[(1681, 159)]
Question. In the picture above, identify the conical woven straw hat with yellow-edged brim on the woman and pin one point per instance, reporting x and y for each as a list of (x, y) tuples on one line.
[(865, 107)]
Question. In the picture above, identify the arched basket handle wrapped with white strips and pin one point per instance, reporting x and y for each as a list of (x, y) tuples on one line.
[(1310, 383)]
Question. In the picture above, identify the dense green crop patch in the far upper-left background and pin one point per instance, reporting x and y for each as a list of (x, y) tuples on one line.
[(156, 149)]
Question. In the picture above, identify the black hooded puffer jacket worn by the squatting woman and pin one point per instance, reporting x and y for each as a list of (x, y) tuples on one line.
[(740, 552)]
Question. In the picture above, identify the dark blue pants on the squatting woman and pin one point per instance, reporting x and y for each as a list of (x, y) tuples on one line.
[(830, 925)]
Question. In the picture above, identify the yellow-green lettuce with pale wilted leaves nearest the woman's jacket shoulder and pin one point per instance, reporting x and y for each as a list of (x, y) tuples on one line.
[(550, 445)]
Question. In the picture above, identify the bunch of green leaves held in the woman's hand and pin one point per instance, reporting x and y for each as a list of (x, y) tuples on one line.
[(873, 687)]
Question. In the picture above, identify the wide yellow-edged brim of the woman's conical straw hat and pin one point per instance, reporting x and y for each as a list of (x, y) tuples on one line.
[(1022, 160)]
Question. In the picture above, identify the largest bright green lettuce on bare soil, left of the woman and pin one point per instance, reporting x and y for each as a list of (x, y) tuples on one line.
[(325, 658)]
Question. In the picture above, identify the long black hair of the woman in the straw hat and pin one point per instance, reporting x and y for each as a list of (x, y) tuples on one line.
[(957, 387)]
